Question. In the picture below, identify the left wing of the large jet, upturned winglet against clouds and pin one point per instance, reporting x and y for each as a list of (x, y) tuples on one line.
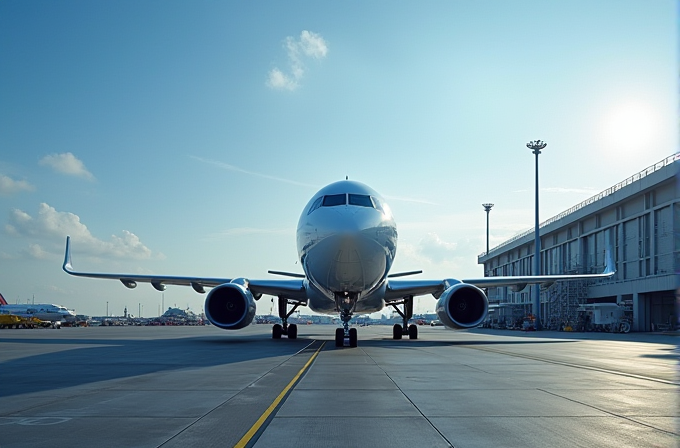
[(293, 289)]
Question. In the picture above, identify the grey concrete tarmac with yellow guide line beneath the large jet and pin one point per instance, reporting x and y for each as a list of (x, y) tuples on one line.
[(202, 386)]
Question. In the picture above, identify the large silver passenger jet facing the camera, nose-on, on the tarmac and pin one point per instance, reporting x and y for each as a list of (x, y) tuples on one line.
[(346, 243)]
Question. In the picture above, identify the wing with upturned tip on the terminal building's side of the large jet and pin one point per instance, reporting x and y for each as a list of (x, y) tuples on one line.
[(398, 289)]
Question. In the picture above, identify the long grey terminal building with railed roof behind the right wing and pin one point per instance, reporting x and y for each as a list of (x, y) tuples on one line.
[(638, 218)]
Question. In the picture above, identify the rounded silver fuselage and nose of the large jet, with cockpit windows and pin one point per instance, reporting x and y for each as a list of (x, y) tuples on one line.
[(346, 241)]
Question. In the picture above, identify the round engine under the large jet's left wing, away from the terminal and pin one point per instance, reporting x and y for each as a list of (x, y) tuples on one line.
[(230, 306)]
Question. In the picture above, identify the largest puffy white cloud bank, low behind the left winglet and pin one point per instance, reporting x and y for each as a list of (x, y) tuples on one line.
[(52, 225)]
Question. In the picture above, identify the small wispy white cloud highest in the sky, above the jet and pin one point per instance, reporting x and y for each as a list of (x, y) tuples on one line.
[(308, 45)]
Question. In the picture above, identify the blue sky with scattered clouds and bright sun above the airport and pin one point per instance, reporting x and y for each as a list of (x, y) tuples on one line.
[(184, 138)]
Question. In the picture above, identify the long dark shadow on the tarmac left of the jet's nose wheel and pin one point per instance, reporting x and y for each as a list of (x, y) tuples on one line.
[(104, 360)]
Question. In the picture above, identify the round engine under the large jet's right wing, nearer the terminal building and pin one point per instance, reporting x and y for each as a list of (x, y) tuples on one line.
[(462, 306)]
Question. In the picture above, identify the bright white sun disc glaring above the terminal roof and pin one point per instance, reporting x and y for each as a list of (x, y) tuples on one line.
[(631, 126)]
